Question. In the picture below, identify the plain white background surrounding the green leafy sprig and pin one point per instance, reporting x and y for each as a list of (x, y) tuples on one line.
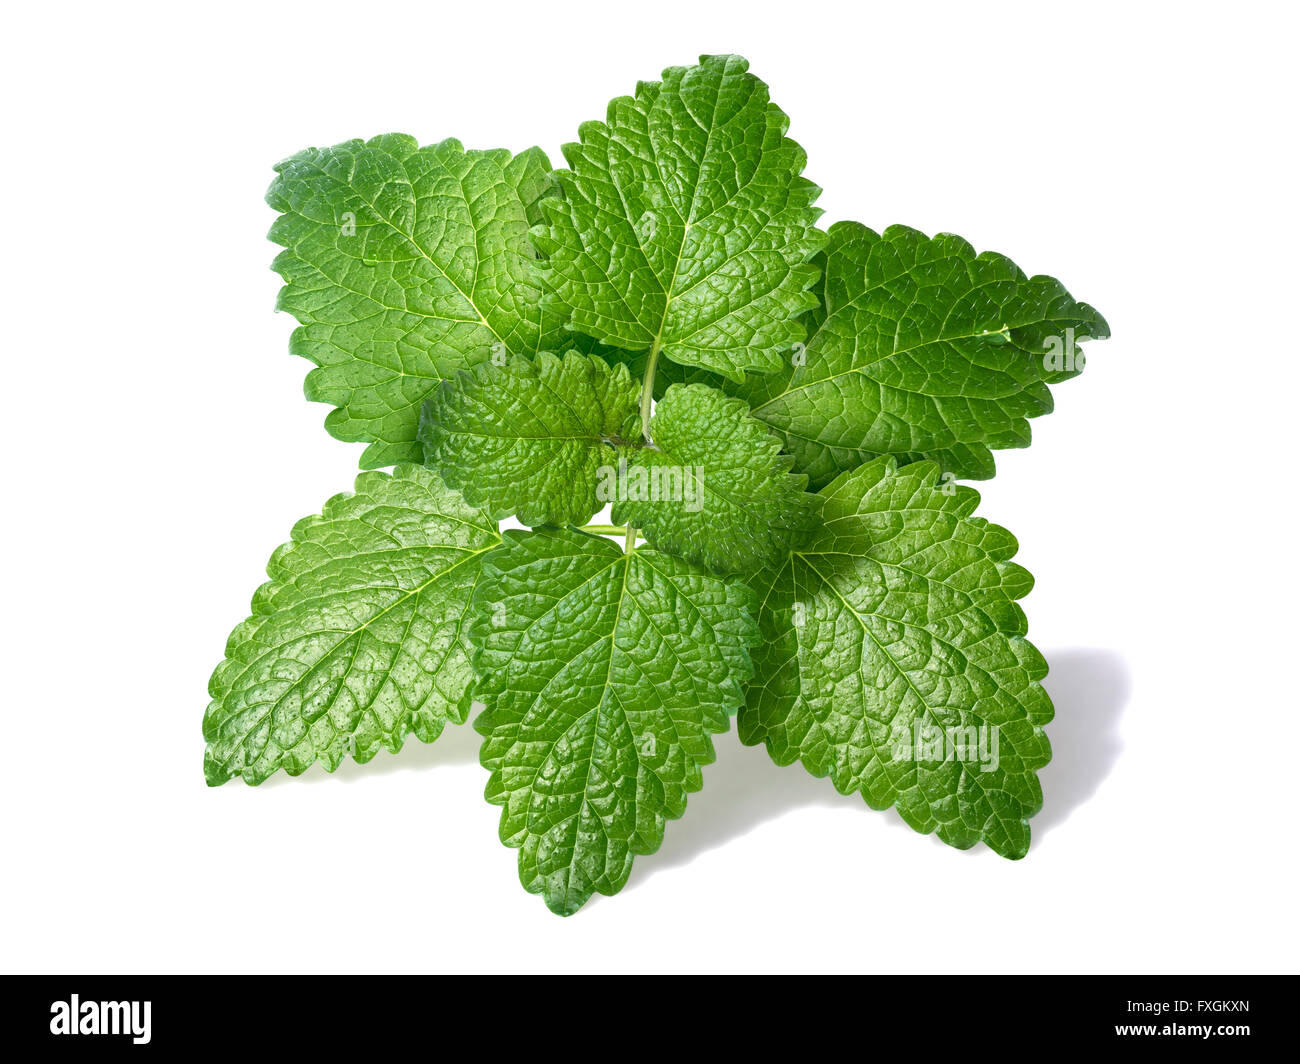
[(159, 448)]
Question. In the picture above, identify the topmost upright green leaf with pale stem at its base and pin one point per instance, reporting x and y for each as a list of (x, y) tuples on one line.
[(684, 224)]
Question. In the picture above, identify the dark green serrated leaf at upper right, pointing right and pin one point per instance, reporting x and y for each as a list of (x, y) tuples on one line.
[(924, 351)]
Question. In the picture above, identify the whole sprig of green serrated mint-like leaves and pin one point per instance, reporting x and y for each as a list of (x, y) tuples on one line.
[(683, 233)]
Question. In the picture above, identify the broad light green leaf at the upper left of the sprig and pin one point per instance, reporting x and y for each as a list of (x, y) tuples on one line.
[(405, 265)]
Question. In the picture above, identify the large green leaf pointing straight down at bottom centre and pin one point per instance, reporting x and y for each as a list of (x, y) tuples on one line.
[(605, 676)]
